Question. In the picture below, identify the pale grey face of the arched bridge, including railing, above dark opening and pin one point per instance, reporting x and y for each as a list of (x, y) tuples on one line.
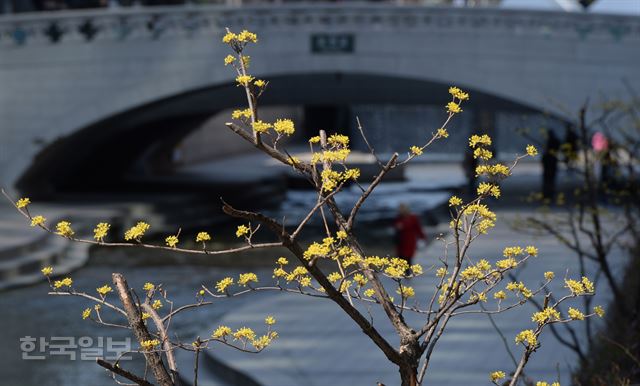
[(547, 61)]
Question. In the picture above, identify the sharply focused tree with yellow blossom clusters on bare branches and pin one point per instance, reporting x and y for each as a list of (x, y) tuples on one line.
[(464, 282)]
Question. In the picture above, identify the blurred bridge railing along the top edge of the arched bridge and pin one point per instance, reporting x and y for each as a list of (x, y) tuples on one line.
[(127, 23)]
